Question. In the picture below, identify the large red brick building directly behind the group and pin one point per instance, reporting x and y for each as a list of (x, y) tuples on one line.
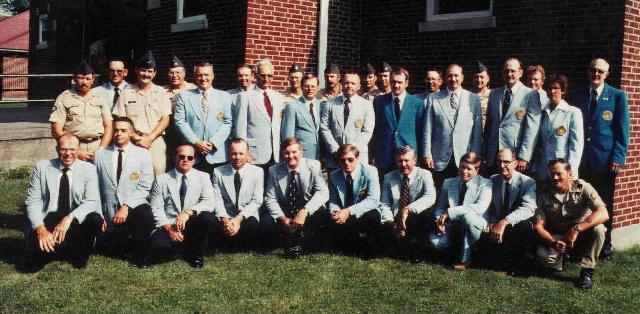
[(563, 36)]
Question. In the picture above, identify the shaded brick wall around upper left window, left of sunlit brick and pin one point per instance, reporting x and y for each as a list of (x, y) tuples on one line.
[(222, 43)]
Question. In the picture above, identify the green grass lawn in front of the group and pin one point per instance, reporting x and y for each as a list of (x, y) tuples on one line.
[(250, 282)]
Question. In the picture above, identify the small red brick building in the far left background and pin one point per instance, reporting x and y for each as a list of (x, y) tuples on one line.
[(14, 56)]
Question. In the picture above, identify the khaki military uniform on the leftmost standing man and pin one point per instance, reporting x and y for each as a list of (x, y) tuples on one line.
[(83, 117)]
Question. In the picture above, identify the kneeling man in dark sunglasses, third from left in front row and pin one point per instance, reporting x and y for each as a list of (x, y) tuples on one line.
[(182, 205)]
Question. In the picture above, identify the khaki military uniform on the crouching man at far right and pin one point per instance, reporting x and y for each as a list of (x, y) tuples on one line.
[(561, 213)]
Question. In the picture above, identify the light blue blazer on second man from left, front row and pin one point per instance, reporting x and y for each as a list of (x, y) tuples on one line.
[(136, 179)]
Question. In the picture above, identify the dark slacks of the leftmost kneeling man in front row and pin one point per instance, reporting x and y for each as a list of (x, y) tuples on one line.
[(78, 241)]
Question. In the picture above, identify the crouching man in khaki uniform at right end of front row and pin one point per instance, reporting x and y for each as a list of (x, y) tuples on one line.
[(570, 215)]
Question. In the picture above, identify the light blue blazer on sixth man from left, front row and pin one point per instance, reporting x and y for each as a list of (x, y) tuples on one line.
[(366, 189)]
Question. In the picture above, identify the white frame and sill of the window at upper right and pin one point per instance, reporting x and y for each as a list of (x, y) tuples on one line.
[(462, 20)]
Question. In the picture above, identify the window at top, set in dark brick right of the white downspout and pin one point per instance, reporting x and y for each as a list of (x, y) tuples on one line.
[(459, 14)]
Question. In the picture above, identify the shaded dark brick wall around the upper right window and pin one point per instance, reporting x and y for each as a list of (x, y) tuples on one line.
[(563, 36)]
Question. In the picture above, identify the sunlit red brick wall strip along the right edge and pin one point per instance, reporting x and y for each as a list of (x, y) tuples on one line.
[(627, 197)]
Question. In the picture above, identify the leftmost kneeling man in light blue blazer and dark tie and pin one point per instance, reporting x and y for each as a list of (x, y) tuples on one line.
[(63, 207)]
